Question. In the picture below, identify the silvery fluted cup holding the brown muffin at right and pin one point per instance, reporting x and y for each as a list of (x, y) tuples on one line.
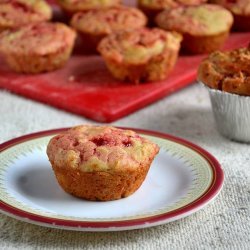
[(232, 114)]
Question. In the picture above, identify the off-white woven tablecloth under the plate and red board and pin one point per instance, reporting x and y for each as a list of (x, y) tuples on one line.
[(224, 224)]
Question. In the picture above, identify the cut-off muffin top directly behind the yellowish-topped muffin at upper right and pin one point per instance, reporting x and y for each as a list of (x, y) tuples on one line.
[(162, 4)]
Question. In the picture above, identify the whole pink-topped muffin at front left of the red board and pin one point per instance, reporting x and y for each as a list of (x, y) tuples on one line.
[(37, 47)]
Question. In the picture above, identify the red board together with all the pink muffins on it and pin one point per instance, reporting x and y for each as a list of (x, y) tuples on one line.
[(107, 59)]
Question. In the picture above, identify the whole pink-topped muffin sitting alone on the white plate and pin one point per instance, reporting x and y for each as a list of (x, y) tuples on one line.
[(100, 162)]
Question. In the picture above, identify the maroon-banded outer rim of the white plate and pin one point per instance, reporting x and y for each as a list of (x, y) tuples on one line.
[(204, 199)]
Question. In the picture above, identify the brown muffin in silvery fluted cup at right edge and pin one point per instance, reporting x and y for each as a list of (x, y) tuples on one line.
[(227, 76)]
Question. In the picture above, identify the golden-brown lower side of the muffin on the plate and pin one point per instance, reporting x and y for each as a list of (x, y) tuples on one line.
[(102, 186)]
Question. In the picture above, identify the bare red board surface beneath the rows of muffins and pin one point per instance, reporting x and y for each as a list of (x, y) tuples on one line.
[(85, 87)]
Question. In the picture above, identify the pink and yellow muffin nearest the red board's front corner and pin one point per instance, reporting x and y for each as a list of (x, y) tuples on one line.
[(141, 55)]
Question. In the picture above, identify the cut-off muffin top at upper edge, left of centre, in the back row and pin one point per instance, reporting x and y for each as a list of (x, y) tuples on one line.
[(83, 5)]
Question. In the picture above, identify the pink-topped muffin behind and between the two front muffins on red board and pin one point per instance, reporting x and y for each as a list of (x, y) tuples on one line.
[(94, 25)]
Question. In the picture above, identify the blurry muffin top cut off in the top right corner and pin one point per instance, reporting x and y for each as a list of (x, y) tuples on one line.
[(238, 7)]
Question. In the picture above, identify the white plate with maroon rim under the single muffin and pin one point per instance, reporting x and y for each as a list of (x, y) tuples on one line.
[(182, 179)]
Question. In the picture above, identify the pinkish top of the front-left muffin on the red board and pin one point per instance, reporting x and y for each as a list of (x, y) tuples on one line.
[(37, 39)]
